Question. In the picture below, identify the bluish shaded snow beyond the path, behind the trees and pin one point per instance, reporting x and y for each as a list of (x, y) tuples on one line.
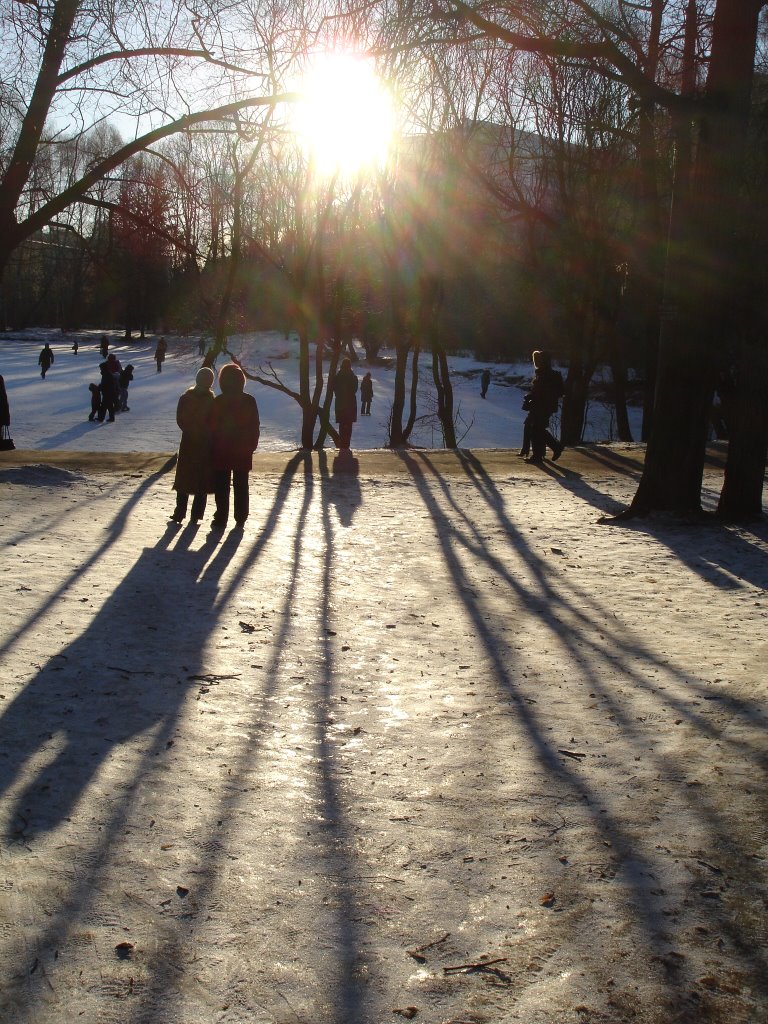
[(54, 413)]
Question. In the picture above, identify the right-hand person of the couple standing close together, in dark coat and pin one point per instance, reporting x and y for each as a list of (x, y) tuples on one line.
[(235, 437)]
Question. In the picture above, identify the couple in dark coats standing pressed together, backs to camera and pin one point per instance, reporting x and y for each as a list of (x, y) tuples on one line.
[(220, 436)]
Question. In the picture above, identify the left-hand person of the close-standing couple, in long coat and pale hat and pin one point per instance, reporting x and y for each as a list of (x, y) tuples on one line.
[(194, 473)]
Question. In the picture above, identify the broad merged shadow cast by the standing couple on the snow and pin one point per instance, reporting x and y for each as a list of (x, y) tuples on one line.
[(124, 680)]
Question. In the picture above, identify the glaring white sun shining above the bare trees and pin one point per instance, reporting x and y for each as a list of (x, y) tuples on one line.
[(346, 119)]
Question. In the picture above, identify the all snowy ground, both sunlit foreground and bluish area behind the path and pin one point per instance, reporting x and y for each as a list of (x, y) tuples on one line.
[(424, 714)]
